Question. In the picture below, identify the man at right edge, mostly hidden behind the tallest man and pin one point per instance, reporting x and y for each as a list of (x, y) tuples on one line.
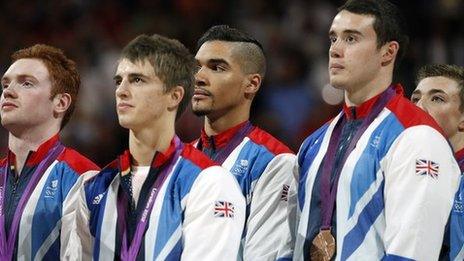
[(440, 92)]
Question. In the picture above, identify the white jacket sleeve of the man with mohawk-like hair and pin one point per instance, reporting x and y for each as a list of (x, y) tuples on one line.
[(273, 201)]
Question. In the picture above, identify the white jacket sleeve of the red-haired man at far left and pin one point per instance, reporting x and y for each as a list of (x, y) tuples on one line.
[(73, 223)]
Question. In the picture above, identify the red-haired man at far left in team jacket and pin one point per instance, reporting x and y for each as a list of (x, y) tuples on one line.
[(39, 178)]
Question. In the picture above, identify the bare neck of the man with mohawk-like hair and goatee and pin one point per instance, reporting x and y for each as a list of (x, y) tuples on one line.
[(216, 125)]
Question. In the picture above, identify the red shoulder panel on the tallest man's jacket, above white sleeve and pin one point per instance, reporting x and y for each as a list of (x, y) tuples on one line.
[(409, 115)]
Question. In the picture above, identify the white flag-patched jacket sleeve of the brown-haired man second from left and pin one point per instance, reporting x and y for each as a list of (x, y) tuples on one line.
[(214, 217)]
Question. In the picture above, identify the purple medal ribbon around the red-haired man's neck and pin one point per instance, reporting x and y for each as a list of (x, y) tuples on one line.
[(7, 243)]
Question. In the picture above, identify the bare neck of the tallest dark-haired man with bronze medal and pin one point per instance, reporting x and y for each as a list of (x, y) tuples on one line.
[(357, 95)]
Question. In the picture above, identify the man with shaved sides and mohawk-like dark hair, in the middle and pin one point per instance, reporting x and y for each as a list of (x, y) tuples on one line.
[(231, 68)]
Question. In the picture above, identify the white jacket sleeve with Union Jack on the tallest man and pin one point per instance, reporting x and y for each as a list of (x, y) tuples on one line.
[(417, 200)]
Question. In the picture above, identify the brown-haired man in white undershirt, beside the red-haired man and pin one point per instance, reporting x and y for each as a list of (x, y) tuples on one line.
[(161, 199)]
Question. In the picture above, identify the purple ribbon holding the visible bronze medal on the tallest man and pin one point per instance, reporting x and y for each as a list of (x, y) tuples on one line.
[(328, 193)]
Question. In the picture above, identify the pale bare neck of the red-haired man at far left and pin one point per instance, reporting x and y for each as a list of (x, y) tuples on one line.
[(20, 143)]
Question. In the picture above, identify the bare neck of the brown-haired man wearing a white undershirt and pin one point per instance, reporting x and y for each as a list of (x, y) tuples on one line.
[(144, 143)]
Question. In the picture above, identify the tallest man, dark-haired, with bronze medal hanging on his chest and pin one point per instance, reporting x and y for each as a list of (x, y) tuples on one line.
[(377, 181)]
